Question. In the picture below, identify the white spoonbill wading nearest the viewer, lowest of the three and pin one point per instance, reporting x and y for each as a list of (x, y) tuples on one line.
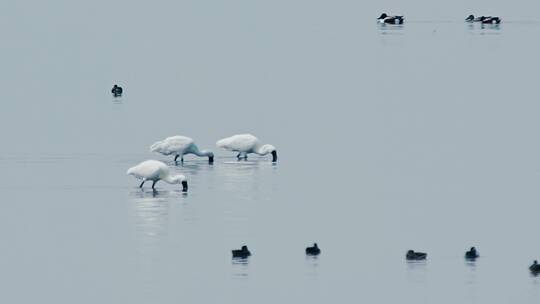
[(155, 171)]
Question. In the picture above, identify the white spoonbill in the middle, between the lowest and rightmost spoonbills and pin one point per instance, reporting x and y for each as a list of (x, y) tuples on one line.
[(180, 146)]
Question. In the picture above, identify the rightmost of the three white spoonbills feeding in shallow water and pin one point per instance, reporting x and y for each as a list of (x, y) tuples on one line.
[(245, 144)]
